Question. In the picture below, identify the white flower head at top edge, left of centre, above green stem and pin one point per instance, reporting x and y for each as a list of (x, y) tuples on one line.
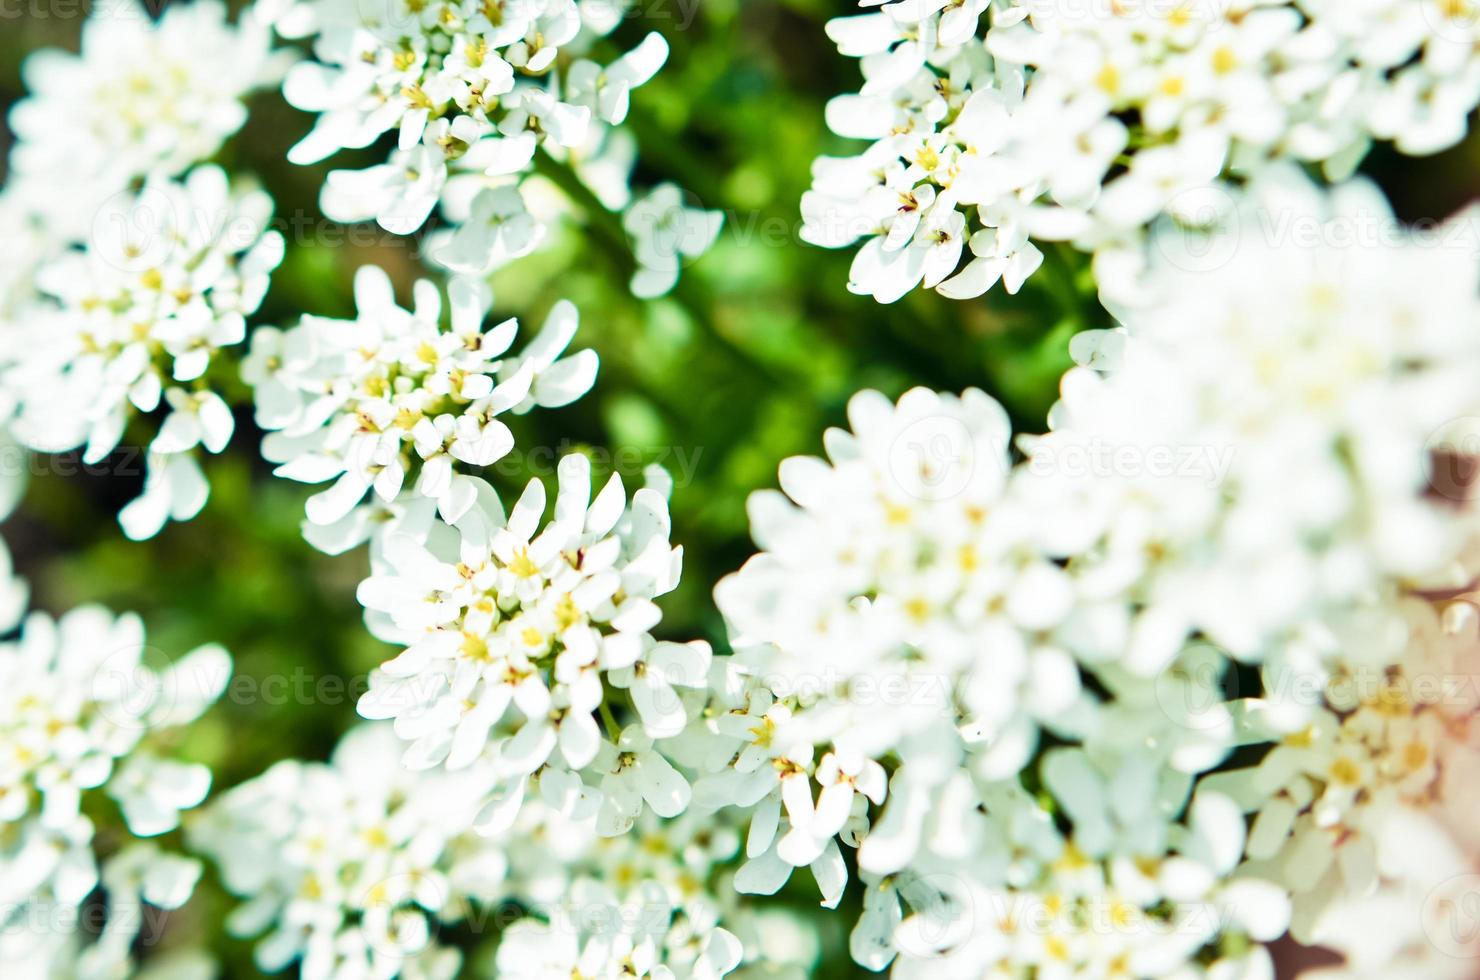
[(471, 90)]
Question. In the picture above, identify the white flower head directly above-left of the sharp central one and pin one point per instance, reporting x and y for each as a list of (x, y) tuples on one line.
[(396, 397)]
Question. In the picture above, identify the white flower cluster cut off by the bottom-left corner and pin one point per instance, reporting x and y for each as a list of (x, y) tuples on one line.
[(82, 713)]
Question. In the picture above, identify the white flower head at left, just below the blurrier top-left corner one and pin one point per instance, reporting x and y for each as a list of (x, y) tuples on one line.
[(134, 322)]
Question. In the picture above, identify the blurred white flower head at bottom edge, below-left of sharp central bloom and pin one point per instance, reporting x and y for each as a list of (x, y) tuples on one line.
[(350, 867)]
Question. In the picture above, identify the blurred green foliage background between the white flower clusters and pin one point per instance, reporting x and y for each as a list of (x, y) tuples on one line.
[(747, 363)]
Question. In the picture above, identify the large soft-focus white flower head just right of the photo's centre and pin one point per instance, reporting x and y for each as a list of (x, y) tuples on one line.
[(886, 569)]
